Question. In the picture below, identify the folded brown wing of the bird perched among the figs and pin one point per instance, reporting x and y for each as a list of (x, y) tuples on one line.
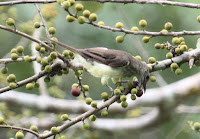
[(113, 58)]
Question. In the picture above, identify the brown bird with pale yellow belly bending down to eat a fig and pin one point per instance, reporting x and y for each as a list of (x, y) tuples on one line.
[(111, 64)]
